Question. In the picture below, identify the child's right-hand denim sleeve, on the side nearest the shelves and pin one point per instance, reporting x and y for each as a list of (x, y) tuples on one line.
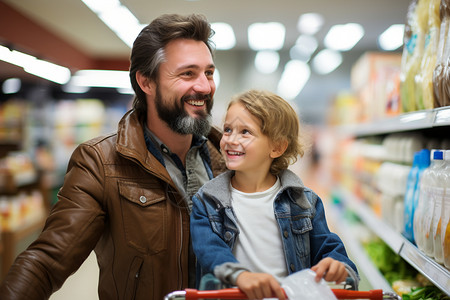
[(325, 243)]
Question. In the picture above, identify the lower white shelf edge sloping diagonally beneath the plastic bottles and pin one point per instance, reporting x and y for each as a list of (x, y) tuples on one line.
[(436, 273)]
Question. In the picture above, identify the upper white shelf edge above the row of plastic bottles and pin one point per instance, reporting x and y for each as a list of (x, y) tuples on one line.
[(417, 120)]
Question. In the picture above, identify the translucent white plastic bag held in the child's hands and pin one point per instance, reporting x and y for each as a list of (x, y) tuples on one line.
[(302, 286)]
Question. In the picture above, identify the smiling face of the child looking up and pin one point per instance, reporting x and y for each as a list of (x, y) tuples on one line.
[(244, 147)]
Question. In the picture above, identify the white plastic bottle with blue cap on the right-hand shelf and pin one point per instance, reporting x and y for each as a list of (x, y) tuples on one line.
[(419, 194)]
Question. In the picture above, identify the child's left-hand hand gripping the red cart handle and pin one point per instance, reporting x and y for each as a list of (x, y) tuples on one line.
[(259, 286)]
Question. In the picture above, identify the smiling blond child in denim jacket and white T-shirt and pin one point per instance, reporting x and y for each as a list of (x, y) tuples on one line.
[(256, 224)]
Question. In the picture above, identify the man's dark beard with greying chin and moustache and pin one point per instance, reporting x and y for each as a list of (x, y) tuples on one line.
[(179, 120)]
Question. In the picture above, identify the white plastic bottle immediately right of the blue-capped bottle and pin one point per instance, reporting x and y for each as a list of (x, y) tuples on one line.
[(439, 193)]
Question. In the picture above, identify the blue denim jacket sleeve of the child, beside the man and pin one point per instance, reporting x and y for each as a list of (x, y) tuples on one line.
[(210, 249)]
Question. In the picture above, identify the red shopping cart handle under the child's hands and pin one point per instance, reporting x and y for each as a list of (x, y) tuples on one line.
[(235, 293)]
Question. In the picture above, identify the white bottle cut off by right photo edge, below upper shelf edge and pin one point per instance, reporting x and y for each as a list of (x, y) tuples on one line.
[(445, 214)]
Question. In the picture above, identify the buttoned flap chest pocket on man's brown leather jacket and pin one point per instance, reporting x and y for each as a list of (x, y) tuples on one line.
[(144, 215)]
